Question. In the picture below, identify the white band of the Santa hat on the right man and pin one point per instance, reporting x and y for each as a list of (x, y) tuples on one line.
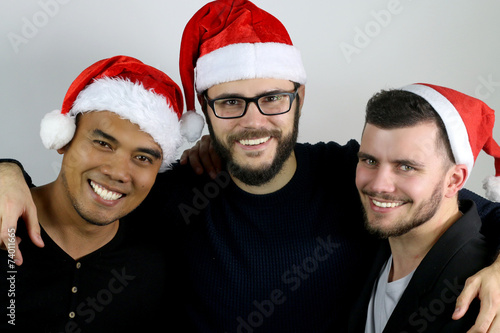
[(455, 127)]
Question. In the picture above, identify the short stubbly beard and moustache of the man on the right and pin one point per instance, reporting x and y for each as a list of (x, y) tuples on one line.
[(423, 213)]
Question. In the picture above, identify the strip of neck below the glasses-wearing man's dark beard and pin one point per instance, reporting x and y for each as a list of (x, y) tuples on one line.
[(279, 181)]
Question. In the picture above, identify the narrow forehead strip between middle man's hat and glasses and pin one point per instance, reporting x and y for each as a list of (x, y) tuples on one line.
[(250, 87)]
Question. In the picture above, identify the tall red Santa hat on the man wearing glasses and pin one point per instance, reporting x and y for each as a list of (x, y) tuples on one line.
[(229, 40)]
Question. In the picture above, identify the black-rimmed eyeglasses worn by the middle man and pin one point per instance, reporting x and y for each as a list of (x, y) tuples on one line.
[(236, 107)]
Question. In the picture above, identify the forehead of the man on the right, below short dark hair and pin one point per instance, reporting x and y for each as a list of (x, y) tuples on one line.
[(416, 143)]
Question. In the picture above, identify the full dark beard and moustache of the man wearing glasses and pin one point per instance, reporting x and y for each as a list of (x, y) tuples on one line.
[(264, 174)]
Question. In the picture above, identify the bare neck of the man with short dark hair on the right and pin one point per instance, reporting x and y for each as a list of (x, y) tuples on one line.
[(410, 249)]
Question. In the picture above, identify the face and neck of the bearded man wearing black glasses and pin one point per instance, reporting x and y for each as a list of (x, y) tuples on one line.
[(255, 135)]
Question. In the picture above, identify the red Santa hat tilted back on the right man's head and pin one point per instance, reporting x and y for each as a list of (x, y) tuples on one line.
[(469, 124)]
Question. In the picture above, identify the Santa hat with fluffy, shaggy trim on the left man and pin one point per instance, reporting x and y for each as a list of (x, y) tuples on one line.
[(133, 90)]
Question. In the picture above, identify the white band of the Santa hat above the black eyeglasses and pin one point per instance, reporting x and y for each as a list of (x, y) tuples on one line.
[(249, 61)]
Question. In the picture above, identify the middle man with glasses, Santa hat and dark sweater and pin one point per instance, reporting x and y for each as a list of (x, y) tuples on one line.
[(282, 251)]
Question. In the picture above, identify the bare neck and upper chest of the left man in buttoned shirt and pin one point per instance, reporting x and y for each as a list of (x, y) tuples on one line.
[(64, 225)]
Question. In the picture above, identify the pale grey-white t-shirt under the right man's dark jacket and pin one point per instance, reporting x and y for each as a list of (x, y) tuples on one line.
[(385, 297)]
